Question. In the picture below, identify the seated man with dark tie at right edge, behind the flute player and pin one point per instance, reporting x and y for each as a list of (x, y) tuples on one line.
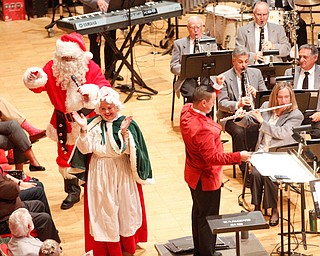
[(307, 77)]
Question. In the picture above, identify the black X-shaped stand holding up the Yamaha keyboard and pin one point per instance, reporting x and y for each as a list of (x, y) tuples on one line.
[(120, 53)]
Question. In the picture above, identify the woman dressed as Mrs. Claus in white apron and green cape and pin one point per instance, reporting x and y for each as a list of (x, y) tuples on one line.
[(118, 166)]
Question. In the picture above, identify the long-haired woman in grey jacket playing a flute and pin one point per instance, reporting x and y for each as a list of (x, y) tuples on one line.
[(275, 129)]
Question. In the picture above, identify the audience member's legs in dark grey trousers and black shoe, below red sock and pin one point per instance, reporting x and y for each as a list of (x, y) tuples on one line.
[(13, 137)]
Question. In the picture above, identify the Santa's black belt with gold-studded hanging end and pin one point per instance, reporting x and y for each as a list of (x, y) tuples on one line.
[(61, 119)]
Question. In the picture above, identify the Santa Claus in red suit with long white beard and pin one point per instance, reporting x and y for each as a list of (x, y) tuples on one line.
[(72, 81)]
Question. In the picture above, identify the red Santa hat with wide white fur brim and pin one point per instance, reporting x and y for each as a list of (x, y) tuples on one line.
[(71, 45)]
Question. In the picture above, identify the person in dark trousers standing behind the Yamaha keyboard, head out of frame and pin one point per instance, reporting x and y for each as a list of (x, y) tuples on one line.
[(96, 39)]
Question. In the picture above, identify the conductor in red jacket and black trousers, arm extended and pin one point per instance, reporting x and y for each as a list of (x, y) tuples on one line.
[(203, 166)]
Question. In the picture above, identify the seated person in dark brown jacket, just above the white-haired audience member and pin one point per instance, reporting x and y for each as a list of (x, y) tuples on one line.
[(10, 201)]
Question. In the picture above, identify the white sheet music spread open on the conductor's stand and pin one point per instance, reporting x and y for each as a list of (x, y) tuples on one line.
[(282, 163)]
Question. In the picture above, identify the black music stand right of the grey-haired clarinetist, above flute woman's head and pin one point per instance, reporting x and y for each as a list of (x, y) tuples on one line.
[(272, 70)]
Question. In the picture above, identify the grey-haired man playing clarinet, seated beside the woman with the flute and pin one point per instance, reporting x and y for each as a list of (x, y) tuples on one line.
[(232, 97)]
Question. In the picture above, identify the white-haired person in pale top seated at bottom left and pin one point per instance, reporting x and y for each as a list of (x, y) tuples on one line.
[(21, 242)]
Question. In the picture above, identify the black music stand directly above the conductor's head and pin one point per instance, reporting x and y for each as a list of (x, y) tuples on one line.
[(205, 64)]
